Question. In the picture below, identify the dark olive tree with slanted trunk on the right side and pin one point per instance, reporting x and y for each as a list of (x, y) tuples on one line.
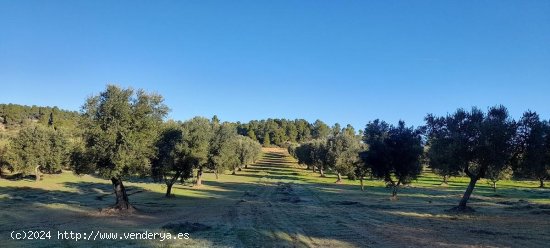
[(478, 143)]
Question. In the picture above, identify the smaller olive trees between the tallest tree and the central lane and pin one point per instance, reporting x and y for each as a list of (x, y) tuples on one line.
[(200, 143)]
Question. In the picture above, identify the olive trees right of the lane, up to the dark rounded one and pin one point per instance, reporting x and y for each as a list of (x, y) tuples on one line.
[(386, 152)]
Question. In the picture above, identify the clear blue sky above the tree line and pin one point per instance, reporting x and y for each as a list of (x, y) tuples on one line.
[(339, 61)]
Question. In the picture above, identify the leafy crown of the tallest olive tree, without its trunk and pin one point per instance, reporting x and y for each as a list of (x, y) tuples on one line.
[(120, 127)]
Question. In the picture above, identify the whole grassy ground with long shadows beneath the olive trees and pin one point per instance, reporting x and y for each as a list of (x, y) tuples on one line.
[(277, 203)]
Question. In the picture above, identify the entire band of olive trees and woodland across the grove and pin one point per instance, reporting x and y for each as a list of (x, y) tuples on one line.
[(122, 133)]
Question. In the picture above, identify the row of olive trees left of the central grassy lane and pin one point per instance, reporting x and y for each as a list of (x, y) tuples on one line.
[(122, 133)]
